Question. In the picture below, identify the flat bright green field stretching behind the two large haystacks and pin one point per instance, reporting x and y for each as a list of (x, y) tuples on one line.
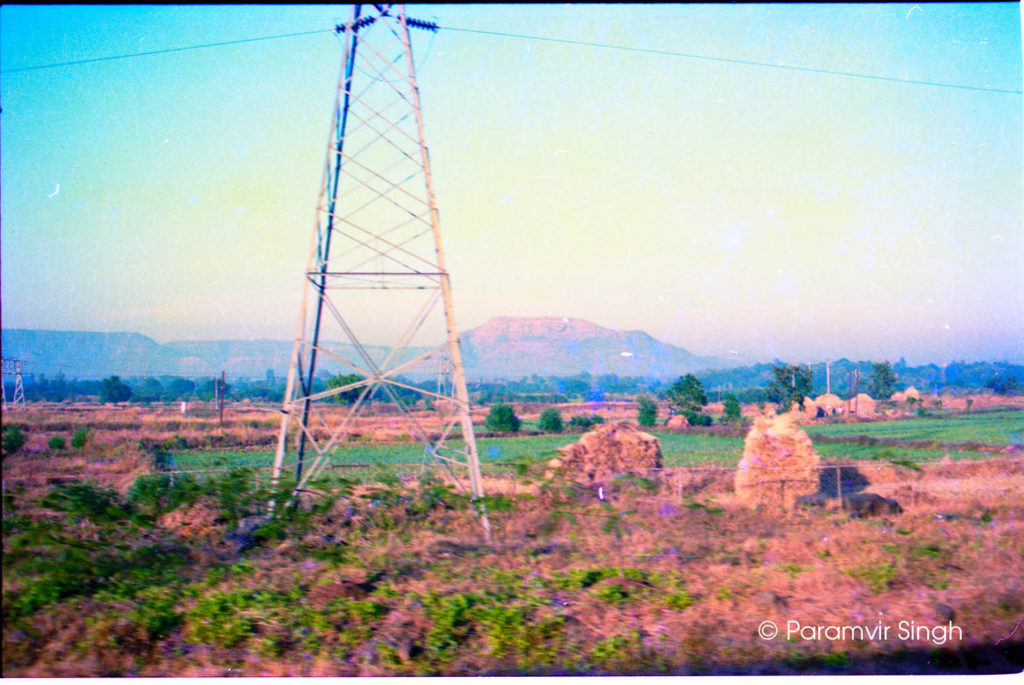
[(679, 450)]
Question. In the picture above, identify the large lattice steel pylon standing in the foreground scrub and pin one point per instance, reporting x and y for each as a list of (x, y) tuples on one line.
[(377, 272)]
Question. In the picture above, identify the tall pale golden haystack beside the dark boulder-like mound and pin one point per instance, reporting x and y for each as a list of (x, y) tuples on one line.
[(779, 465)]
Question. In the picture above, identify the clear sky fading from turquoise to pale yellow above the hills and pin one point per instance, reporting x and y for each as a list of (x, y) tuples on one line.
[(735, 209)]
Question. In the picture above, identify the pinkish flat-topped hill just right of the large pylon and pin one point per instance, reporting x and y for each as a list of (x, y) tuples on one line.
[(511, 348)]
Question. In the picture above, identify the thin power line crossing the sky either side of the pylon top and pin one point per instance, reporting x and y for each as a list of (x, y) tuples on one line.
[(566, 41)]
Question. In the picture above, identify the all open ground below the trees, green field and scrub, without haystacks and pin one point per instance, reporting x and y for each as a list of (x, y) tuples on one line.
[(114, 569)]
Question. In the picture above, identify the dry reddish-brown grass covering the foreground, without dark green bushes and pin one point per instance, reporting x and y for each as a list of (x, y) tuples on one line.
[(682, 574)]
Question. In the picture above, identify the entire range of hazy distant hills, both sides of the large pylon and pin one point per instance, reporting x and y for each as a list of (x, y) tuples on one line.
[(504, 348)]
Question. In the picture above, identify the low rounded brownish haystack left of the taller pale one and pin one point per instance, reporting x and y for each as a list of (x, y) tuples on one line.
[(607, 452)]
